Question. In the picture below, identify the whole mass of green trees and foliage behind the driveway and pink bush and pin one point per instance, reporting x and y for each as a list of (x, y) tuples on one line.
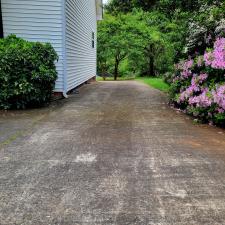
[(157, 33)]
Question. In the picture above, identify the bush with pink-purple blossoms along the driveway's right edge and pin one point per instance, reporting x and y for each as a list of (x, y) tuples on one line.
[(199, 85)]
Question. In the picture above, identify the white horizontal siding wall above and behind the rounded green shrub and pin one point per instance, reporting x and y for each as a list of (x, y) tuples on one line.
[(37, 20)]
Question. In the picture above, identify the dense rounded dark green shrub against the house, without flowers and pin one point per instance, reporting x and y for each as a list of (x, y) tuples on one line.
[(27, 73)]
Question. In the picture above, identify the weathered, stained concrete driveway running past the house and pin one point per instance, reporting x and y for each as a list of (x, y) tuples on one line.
[(114, 154)]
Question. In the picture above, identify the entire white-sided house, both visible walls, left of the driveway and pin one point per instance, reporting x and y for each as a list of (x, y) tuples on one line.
[(69, 25)]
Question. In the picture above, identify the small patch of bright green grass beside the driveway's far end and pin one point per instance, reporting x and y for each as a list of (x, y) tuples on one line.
[(157, 83)]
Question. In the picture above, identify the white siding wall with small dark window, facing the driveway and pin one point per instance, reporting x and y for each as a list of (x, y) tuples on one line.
[(81, 57)]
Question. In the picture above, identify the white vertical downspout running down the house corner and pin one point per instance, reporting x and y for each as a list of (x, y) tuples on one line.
[(64, 49)]
